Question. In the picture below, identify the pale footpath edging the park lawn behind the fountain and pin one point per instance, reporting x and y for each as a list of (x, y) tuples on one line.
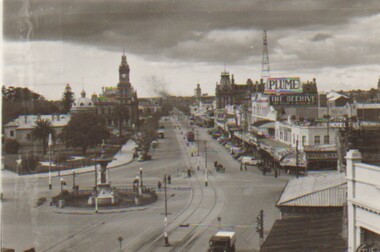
[(123, 157)]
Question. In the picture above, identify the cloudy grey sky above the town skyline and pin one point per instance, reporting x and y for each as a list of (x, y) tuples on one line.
[(172, 45)]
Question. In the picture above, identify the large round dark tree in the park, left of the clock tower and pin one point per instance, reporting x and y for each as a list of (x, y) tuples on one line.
[(85, 130)]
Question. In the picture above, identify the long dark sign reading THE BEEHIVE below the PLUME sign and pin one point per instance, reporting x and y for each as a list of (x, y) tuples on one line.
[(297, 99)]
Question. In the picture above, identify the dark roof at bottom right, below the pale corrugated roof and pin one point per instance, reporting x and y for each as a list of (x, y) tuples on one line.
[(304, 234)]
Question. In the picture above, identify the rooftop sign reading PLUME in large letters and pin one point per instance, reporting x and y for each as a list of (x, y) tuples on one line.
[(285, 85)]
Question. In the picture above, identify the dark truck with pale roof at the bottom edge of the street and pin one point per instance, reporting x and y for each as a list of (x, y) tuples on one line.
[(222, 241)]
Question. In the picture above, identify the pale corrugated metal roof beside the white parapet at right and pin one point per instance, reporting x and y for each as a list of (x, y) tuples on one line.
[(327, 190)]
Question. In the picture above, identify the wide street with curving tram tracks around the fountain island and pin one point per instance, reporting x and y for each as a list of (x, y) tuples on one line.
[(235, 196)]
